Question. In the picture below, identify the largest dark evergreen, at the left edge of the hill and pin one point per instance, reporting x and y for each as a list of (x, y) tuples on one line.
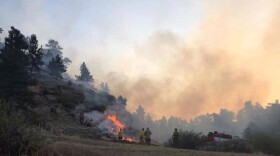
[(14, 62)]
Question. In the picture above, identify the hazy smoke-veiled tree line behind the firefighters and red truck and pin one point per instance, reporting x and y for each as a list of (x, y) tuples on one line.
[(249, 120)]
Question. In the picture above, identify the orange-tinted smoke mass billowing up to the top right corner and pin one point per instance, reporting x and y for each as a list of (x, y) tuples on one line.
[(230, 58)]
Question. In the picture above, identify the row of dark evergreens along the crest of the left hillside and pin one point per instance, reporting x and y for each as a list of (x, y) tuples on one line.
[(21, 56)]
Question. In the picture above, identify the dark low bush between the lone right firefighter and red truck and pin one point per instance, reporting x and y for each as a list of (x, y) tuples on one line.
[(188, 140)]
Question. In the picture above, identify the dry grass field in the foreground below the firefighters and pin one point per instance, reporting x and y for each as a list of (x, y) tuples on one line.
[(73, 146)]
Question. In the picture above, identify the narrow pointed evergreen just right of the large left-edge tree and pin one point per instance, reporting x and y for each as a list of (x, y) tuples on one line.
[(35, 54)]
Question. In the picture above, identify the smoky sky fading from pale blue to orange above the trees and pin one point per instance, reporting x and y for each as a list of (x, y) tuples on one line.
[(174, 57)]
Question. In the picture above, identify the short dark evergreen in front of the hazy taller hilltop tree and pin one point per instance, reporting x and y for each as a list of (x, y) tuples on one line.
[(57, 67)]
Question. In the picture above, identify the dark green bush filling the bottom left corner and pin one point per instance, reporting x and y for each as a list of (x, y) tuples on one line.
[(15, 136)]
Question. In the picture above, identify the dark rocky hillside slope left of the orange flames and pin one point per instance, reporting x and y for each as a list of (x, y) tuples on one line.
[(58, 105)]
